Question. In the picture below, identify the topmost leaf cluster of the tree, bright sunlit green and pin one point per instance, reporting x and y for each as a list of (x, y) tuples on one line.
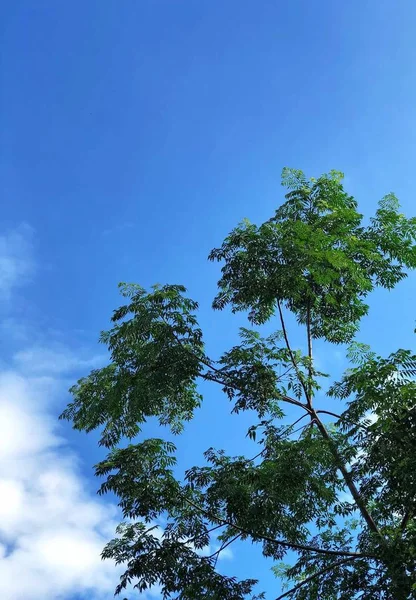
[(316, 257)]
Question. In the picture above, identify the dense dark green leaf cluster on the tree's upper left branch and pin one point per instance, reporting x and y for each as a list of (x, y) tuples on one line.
[(155, 347)]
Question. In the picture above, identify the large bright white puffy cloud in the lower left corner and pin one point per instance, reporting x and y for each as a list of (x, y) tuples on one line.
[(52, 530)]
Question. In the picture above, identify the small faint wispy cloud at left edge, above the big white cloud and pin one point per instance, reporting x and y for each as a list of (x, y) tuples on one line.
[(16, 259)]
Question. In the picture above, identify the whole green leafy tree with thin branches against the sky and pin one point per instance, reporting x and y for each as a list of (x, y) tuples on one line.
[(338, 490)]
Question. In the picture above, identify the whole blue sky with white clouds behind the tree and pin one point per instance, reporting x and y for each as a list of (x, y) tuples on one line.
[(134, 136)]
